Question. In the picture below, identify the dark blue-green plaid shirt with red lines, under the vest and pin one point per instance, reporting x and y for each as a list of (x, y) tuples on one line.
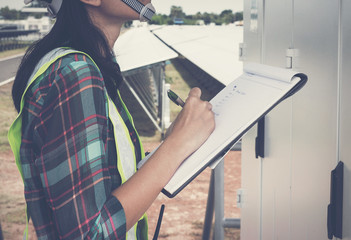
[(68, 154)]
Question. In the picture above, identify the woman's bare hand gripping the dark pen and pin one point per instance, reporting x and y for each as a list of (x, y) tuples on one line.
[(193, 125)]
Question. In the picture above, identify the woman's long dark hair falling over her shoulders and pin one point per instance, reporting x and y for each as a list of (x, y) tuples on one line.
[(74, 29)]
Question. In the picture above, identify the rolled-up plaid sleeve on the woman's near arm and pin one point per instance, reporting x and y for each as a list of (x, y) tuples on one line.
[(72, 161)]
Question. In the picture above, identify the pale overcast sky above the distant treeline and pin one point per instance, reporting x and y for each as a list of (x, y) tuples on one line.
[(163, 6)]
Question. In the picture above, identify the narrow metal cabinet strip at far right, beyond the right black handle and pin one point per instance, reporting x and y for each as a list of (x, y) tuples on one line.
[(345, 114)]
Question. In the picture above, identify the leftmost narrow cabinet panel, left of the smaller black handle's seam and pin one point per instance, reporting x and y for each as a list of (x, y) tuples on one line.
[(251, 167)]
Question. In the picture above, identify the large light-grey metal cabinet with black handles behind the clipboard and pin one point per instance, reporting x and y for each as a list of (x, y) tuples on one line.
[(285, 195)]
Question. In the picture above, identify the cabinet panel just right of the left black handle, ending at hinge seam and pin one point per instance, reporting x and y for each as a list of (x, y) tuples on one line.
[(276, 164)]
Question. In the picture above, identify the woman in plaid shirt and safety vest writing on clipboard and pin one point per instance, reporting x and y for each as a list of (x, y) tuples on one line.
[(69, 145)]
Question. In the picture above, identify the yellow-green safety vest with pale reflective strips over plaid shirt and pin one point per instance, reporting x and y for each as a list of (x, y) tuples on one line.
[(124, 145)]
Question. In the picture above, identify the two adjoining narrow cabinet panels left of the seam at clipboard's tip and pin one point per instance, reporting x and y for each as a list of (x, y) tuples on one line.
[(266, 190)]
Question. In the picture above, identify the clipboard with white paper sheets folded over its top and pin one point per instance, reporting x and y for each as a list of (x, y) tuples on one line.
[(237, 108)]
